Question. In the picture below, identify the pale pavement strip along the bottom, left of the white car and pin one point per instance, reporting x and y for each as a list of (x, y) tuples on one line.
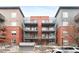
[(36, 49)]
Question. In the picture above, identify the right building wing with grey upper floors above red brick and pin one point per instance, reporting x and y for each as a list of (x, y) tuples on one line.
[(67, 22)]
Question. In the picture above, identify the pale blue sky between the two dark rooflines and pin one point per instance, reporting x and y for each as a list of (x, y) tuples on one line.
[(39, 10)]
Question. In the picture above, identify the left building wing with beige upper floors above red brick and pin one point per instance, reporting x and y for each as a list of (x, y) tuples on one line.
[(11, 18)]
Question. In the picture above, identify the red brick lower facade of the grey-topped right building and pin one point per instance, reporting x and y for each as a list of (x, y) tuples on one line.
[(69, 37)]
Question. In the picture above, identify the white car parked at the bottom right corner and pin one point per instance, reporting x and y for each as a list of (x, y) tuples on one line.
[(66, 50)]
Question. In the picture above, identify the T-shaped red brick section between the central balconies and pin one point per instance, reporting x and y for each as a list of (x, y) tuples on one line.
[(39, 20)]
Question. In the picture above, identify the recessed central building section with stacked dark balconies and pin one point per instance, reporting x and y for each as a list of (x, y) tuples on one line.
[(40, 29)]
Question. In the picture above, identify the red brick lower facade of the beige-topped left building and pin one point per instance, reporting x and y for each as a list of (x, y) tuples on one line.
[(9, 35)]
